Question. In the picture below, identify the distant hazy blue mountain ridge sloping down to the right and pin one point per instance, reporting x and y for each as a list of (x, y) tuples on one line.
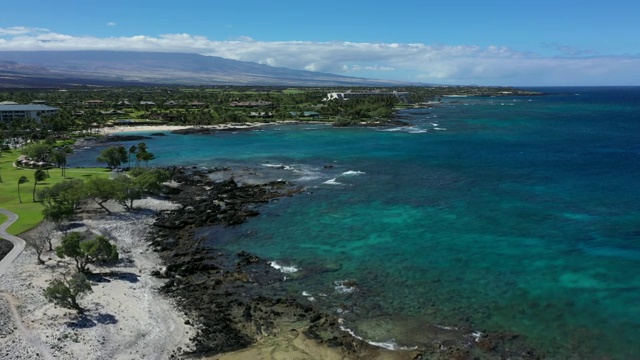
[(158, 68)]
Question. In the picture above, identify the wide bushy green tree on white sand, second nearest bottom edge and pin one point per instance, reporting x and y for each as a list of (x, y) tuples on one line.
[(96, 250)]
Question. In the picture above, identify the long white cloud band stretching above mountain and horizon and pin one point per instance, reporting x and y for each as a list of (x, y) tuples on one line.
[(461, 64)]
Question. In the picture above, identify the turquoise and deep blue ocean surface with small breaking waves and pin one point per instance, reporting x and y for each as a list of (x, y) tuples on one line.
[(510, 214)]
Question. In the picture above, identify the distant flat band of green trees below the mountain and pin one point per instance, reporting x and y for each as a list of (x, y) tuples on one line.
[(84, 109)]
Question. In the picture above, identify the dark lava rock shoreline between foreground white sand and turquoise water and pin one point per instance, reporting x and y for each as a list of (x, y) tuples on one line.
[(224, 294)]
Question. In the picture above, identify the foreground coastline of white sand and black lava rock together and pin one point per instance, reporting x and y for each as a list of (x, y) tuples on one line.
[(206, 281)]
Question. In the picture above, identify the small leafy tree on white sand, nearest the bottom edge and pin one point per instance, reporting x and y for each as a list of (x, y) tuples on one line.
[(66, 292)]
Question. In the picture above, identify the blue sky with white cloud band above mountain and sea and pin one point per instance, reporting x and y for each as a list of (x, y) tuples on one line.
[(490, 42)]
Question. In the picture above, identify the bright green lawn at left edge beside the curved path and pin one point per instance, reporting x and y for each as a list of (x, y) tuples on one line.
[(29, 212)]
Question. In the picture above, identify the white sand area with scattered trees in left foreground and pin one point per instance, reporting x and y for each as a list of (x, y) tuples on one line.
[(126, 317)]
